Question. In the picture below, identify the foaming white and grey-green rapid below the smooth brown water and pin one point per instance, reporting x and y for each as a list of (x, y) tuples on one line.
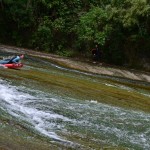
[(55, 117)]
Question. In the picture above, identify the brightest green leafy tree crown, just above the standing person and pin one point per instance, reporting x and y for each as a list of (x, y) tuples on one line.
[(92, 26)]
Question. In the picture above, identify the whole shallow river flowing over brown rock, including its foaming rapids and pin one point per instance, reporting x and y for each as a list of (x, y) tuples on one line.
[(57, 103)]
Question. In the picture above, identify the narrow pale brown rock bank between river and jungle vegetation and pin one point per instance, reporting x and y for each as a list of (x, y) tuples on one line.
[(87, 66)]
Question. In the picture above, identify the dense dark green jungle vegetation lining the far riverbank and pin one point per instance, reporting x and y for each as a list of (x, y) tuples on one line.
[(72, 27)]
